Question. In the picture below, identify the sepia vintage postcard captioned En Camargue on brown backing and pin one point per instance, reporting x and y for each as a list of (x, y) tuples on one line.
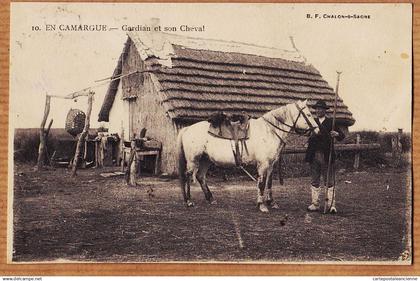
[(236, 133)]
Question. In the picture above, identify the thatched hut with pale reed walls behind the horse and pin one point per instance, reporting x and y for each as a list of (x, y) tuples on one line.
[(182, 80)]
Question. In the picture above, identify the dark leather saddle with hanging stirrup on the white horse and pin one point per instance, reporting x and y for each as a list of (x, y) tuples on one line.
[(231, 127)]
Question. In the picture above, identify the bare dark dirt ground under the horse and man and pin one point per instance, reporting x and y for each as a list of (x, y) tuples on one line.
[(91, 218)]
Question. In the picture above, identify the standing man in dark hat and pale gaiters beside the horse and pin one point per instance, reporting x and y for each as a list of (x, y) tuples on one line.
[(317, 155)]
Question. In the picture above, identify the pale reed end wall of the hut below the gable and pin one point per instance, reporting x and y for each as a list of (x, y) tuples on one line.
[(148, 112)]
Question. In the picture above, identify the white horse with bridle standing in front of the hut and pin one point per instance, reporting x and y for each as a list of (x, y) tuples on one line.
[(197, 149)]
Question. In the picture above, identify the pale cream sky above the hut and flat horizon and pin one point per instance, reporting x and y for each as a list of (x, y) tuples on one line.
[(374, 55)]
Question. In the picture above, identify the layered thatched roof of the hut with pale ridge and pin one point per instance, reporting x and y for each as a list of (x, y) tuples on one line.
[(199, 81)]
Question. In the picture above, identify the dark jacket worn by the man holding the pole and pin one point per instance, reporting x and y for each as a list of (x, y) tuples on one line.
[(321, 142)]
